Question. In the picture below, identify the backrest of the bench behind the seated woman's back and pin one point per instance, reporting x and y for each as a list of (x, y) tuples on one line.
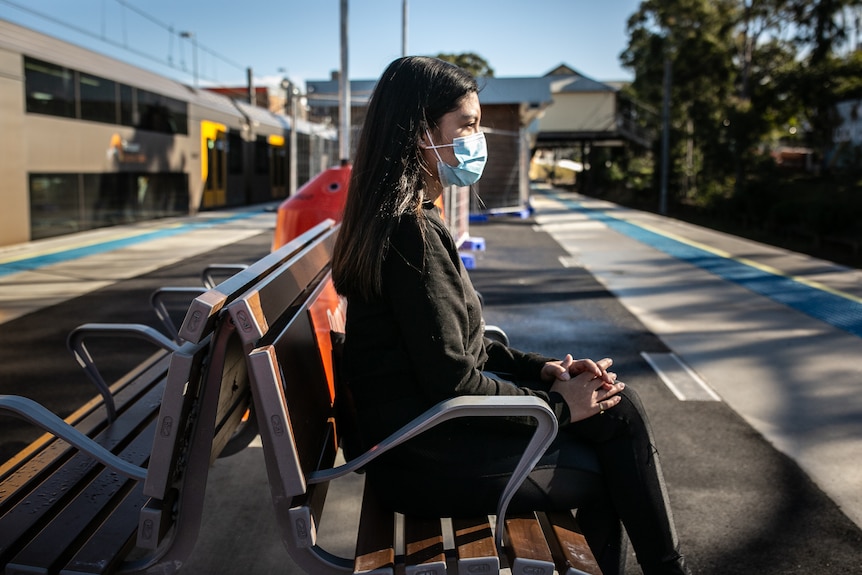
[(296, 417)]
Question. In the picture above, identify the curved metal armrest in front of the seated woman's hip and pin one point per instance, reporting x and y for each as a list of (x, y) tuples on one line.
[(469, 406)]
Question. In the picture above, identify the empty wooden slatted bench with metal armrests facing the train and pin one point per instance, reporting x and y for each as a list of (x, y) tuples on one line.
[(119, 485)]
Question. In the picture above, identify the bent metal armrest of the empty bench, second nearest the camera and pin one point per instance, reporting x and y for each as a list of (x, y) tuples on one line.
[(75, 344)]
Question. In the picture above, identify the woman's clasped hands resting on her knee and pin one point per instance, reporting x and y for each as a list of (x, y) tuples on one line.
[(586, 385)]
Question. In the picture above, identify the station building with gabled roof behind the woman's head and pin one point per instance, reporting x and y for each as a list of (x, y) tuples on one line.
[(563, 109)]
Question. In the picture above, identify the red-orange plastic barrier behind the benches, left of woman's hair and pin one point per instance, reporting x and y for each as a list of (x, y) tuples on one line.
[(321, 197)]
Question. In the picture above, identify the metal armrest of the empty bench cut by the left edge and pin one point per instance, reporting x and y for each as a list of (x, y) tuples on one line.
[(40, 416)]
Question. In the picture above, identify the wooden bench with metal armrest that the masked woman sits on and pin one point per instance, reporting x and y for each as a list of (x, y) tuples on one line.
[(295, 398)]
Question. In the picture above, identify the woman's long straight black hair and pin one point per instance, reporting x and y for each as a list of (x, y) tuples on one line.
[(387, 180)]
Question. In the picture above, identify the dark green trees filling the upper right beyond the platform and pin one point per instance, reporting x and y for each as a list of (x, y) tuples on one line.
[(748, 78)]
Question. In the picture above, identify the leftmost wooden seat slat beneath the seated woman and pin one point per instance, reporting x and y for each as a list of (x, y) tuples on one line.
[(375, 542)]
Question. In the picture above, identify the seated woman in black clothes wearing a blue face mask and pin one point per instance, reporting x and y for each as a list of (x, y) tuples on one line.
[(415, 337)]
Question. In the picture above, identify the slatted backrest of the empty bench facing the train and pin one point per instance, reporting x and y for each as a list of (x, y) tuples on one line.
[(210, 377)]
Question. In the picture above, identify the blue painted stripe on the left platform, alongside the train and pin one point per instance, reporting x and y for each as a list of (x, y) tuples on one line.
[(36, 262)]
